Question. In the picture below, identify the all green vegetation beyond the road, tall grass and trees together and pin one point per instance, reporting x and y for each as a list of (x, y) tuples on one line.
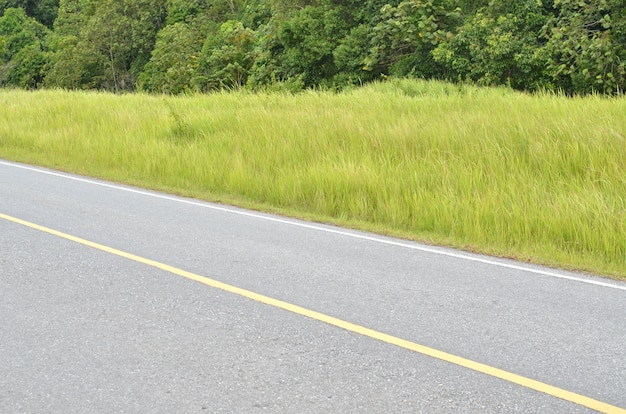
[(538, 177)]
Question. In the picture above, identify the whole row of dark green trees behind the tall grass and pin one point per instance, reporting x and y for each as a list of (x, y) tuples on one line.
[(171, 46)]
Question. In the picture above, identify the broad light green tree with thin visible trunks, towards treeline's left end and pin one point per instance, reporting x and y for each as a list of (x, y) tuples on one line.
[(104, 44)]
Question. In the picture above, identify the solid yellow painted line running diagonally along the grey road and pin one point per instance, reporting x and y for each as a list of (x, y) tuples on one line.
[(463, 362)]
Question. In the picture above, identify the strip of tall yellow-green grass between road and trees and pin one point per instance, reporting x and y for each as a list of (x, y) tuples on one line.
[(539, 178)]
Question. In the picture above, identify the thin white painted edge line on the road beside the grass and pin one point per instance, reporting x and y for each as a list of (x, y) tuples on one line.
[(318, 228)]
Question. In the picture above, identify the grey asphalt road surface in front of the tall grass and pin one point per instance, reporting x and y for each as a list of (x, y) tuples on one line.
[(86, 330)]
